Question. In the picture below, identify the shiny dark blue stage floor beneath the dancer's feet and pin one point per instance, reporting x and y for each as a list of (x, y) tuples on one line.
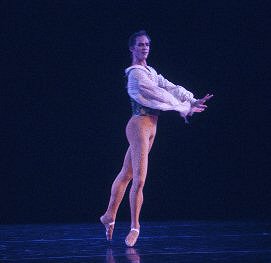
[(182, 241)]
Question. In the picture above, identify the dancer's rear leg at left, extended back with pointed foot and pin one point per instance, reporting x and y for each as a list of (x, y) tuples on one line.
[(117, 192)]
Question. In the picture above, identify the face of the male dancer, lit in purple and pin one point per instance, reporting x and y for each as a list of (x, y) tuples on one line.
[(141, 48)]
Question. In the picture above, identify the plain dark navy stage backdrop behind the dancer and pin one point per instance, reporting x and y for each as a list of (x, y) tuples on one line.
[(64, 108)]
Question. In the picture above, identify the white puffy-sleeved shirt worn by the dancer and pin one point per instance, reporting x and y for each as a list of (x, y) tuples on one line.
[(151, 90)]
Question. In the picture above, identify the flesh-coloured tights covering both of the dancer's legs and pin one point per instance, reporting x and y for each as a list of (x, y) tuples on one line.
[(140, 132)]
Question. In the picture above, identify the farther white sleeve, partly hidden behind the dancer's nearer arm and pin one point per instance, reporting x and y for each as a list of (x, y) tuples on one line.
[(177, 91)]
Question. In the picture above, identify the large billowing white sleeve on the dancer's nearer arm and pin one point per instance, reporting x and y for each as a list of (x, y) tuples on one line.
[(146, 92)]
